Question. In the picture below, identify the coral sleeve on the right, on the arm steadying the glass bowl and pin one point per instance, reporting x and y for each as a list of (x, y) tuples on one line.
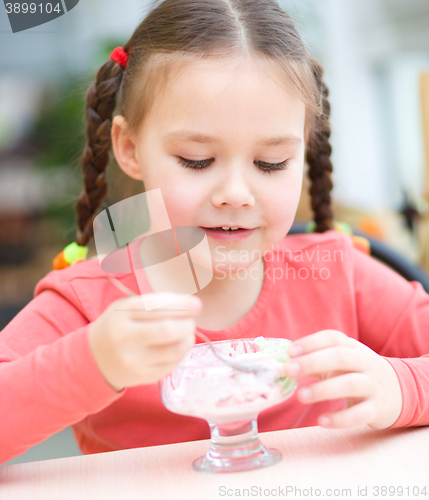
[(393, 320)]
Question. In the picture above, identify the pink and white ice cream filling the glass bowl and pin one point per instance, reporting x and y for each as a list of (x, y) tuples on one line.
[(205, 387)]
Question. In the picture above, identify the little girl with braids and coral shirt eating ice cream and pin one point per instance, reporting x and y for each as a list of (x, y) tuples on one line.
[(218, 105)]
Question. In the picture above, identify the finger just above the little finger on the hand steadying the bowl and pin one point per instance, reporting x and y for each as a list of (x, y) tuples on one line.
[(350, 385)]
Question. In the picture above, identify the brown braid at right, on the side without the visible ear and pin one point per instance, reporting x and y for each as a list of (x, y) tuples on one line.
[(318, 153)]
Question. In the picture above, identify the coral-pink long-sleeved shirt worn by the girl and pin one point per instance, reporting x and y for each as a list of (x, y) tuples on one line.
[(50, 380)]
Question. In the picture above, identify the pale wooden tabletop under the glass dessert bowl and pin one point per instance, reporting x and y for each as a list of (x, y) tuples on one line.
[(313, 457)]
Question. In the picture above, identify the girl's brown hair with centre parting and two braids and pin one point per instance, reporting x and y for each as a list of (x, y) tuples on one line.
[(176, 32)]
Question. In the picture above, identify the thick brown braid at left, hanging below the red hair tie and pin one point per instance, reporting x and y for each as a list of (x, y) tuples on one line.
[(100, 104)]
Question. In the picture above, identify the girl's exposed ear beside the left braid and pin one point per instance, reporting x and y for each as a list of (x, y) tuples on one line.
[(124, 148)]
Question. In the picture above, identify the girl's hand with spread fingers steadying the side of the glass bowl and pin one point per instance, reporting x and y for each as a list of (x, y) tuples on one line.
[(347, 369)]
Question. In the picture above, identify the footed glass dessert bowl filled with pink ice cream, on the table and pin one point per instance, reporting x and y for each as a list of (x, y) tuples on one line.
[(230, 400)]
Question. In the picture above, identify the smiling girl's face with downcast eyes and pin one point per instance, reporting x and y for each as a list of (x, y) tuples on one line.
[(244, 134)]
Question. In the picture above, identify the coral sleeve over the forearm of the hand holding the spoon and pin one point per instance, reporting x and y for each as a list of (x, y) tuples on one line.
[(48, 376)]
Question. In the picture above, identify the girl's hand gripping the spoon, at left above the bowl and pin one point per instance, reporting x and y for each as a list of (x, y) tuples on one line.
[(132, 346)]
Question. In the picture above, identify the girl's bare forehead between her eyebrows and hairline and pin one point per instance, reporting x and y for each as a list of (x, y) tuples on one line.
[(229, 89)]
